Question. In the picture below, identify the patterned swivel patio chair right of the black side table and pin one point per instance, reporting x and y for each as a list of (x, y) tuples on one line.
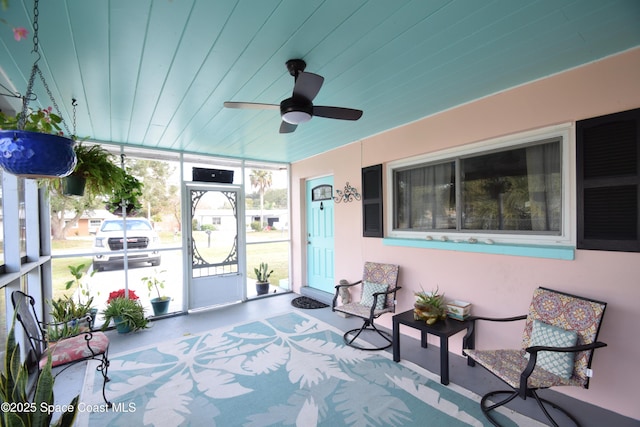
[(558, 343)]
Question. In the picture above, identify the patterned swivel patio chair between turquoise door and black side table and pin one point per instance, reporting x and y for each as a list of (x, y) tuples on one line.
[(378, 296)]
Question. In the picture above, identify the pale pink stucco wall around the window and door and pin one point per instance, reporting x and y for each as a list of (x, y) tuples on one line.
[(498, 284)]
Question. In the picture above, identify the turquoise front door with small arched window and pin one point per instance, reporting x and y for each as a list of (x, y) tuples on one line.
[(320, 245)]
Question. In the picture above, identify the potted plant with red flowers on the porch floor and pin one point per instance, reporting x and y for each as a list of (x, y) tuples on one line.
[(127, 312)]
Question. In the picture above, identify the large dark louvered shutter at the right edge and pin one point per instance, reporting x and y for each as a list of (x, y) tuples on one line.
[(608, 182)]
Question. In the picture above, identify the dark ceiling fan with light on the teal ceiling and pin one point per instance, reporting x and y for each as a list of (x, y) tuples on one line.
[(299, 108)]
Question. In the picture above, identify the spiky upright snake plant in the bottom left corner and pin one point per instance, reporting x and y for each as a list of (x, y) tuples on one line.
[(14, 392)]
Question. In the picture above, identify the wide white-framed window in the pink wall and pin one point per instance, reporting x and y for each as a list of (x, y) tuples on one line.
[(513, 189)]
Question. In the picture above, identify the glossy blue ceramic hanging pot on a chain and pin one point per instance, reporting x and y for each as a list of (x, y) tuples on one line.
[(36, 155)]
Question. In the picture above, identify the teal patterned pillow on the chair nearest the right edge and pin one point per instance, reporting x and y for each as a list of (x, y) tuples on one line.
[(560, 364)]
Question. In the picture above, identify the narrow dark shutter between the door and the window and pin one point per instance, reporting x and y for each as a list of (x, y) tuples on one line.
[(372, 201)]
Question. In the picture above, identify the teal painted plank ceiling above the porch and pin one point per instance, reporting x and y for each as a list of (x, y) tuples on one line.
[(155, 73)]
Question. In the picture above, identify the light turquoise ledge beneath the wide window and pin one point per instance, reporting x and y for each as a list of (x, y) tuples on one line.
[(534, 251)]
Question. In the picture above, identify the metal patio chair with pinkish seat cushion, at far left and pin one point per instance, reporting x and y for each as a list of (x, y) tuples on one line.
[(87, 345)]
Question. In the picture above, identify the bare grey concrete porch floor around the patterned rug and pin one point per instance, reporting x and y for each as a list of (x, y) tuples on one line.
[(476, 379)]
